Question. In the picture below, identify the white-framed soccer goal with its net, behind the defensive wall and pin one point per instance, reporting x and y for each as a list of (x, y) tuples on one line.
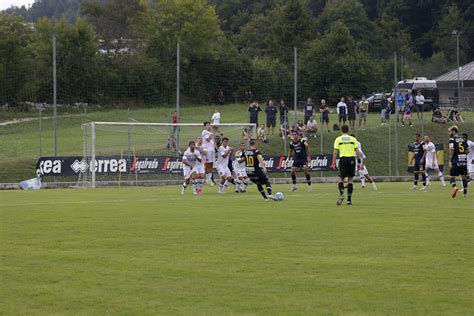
[(137, 153)]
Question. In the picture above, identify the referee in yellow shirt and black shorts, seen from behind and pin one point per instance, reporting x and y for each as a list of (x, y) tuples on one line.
[(347, 148)]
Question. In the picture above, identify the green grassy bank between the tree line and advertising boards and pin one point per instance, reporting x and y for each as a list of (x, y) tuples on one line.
[(20, 142)]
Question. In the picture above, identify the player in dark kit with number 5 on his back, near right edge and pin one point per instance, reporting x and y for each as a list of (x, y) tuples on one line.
[(458, 151)]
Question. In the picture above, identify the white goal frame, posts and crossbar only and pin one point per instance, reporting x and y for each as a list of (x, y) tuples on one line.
[(94, 124)]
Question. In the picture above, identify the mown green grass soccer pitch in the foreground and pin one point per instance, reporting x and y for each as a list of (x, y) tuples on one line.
[(154, 251)]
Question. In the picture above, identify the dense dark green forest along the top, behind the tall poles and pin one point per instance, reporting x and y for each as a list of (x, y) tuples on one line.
[(112, 52)]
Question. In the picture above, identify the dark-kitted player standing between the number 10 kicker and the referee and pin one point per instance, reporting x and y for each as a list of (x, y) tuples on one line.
[(299, 149)]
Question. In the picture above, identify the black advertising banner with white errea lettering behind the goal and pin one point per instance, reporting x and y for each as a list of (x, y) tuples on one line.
[(73, 166)]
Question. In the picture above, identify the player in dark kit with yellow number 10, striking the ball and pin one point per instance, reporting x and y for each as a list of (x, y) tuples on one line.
[(256, 169)]
